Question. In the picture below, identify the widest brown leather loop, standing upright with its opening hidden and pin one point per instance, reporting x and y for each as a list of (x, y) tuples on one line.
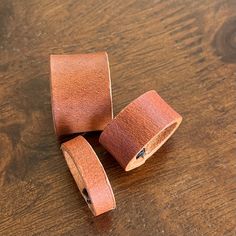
[(80, 92)]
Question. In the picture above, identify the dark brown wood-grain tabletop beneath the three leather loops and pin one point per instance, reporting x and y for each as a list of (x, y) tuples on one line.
[(186, 50)]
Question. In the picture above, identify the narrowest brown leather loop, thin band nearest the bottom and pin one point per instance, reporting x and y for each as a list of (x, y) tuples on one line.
[(89, 175)]
